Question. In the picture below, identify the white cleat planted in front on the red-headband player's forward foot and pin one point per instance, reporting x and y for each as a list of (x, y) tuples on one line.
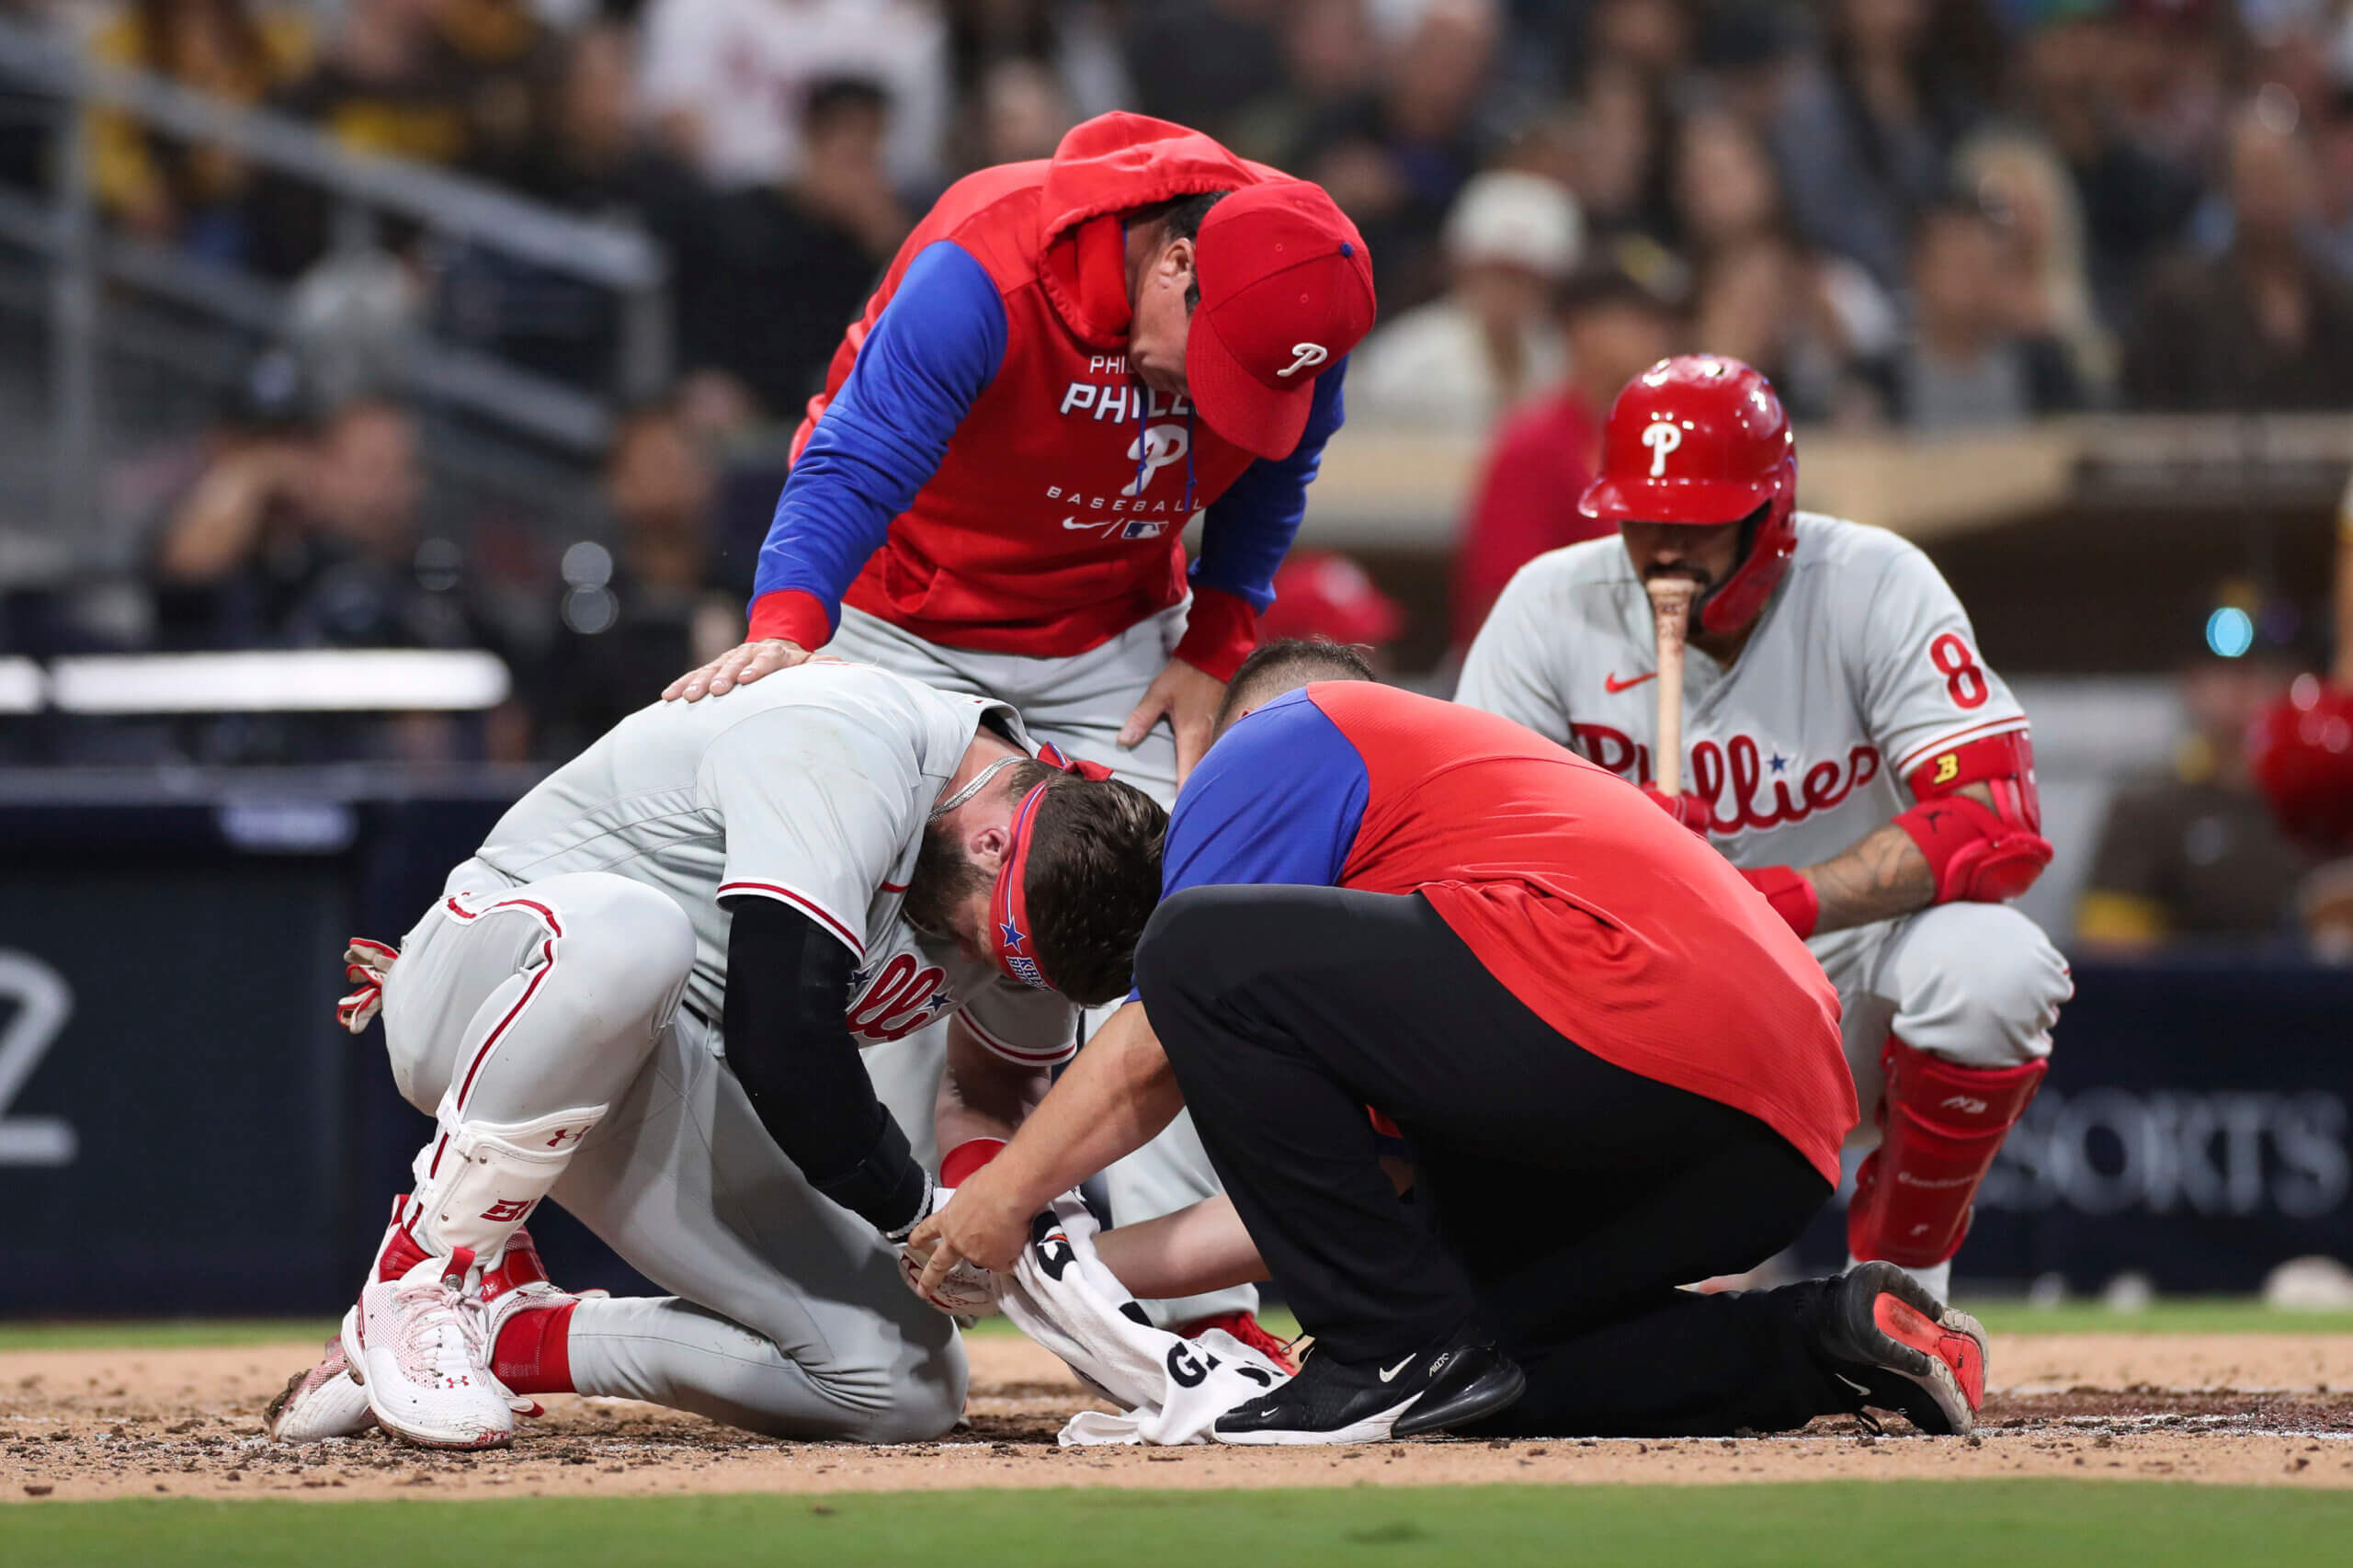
[(420, 1348)]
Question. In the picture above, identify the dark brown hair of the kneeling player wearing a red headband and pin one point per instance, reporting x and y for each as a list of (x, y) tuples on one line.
[(1093, 879)]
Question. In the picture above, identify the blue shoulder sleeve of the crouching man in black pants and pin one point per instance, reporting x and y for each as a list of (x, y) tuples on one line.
[(1279, 799)]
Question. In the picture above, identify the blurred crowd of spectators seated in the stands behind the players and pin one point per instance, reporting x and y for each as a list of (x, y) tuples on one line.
[(1912, 213)]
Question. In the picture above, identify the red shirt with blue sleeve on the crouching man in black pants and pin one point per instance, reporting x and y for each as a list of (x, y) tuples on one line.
[(1585, 901)]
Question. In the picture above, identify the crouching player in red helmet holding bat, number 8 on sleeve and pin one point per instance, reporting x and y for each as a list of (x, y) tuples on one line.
[(1841, 743)]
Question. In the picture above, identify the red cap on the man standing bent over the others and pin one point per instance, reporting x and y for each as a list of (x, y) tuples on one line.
[(1286, 288)]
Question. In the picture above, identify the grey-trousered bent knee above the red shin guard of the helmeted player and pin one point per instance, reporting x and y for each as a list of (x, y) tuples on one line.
[(1980, 985)]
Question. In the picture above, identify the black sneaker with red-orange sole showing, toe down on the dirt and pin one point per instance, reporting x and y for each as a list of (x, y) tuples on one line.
[(1893, 1346)]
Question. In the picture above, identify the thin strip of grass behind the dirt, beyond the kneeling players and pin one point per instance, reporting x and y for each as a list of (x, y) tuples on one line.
[(2004, 1317)]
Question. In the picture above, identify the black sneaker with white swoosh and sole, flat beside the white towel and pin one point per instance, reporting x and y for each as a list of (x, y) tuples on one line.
[(1333, 1402)]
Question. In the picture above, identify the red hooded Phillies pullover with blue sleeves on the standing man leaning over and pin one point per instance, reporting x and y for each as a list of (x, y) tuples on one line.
[(985, 472)]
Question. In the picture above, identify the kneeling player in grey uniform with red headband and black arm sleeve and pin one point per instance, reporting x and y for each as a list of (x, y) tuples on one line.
[(646, 997)]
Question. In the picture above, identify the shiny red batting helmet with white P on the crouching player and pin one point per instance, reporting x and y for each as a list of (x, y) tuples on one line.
[(1702, 439)]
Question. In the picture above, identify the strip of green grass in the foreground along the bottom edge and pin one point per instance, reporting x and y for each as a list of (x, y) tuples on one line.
[(1994, 1524)]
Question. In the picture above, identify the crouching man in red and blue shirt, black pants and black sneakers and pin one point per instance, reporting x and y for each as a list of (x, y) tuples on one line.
[(1618, 1070)]
